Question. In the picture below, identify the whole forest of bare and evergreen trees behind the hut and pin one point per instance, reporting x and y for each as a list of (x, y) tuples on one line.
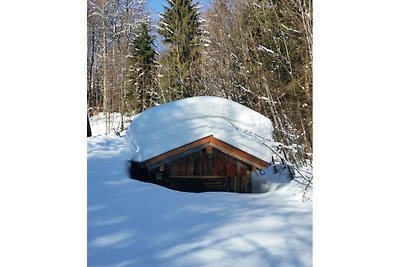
[(255, 52)]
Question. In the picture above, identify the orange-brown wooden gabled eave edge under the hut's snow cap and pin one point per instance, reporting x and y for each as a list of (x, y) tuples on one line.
[(203, 143)]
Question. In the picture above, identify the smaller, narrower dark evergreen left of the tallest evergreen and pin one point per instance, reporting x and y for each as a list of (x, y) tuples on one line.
[(142, 89)]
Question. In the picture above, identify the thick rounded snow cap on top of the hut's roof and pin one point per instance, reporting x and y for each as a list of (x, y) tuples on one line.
[(174, 124)]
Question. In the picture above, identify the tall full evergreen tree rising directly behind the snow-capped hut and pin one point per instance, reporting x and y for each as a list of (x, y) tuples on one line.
[(180, 29)]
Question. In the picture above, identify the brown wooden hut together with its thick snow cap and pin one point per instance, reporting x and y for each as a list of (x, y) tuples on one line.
[(199, 144)]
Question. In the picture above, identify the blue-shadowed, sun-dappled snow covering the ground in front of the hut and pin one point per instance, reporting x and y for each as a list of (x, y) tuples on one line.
[(137, 224)]
